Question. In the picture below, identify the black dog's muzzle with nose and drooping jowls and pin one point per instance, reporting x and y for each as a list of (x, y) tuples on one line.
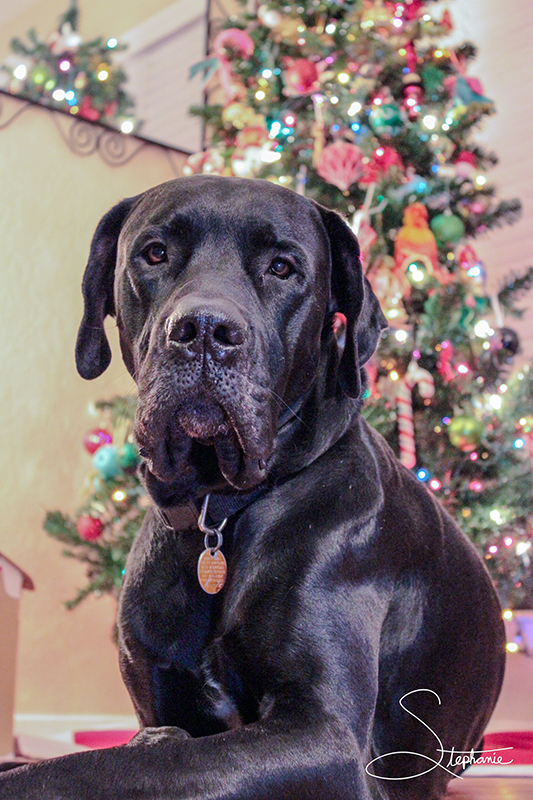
[(204, 382)]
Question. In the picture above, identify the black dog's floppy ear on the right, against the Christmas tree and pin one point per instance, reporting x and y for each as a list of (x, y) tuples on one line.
[(352, 295)]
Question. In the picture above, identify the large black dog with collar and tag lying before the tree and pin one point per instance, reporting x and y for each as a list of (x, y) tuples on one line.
[(357, 638)]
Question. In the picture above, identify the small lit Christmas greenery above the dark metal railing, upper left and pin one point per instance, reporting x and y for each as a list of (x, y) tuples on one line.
[(66, 73)]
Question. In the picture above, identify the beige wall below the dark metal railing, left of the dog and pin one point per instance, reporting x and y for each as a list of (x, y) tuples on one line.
[(51, 203)]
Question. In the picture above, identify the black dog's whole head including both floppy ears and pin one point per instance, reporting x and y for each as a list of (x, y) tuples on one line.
[(224, 291)]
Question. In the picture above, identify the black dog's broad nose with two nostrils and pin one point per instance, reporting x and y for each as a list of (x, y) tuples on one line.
[(204, 325)]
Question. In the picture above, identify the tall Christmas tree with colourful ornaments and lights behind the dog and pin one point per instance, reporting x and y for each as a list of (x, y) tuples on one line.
[(358, 106)]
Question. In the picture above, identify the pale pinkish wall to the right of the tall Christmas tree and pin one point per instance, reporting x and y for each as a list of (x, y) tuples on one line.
[(503, 34)]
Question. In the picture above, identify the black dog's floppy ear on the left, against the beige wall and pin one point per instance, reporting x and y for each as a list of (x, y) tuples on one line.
[(93, 353)]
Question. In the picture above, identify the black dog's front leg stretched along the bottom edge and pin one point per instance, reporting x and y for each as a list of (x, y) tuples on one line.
[(303, 759)]
